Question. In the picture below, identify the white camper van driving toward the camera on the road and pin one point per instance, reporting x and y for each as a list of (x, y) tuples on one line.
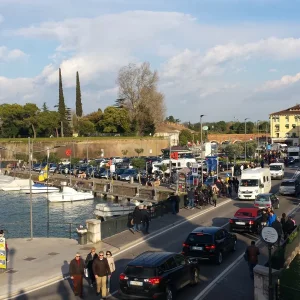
[(253, 182)]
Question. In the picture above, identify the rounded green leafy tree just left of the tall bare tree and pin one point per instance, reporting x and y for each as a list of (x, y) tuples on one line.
[(115, 120)]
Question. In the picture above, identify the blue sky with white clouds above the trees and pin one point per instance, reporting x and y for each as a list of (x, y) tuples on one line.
[(226, 59)]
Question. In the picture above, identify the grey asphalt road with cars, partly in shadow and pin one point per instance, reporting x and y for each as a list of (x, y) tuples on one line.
[(172, 241)]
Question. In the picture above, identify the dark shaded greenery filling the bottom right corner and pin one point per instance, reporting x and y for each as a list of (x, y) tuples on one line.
[(290, 281)]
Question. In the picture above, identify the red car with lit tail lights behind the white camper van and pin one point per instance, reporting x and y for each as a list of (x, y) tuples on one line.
[(246, 220)]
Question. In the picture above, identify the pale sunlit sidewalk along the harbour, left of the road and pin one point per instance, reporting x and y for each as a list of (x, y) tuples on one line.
[(43, 261)]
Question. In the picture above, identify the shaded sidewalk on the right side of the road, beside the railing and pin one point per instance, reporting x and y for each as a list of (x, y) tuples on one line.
[(236, 284)]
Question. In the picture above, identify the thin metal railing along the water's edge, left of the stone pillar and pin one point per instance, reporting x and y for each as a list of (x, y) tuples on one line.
[(40, 229)]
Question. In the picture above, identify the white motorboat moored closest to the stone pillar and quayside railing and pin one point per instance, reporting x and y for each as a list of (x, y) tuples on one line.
[(105, 210)]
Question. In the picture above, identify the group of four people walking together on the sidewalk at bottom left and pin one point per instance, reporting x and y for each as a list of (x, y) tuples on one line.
[(97, 268)]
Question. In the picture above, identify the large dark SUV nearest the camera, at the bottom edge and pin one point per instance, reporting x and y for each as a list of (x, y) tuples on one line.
[(157, 275)]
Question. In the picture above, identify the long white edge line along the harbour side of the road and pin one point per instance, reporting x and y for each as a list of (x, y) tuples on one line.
[(129, 248)]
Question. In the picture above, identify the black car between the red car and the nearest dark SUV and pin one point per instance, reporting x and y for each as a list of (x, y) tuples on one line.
[(209, 243)]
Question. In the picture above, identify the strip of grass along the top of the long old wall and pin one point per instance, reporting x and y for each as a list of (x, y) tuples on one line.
[(77, 139)]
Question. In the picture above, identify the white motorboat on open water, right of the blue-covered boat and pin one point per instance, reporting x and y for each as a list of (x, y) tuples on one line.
[(69, 194)]
